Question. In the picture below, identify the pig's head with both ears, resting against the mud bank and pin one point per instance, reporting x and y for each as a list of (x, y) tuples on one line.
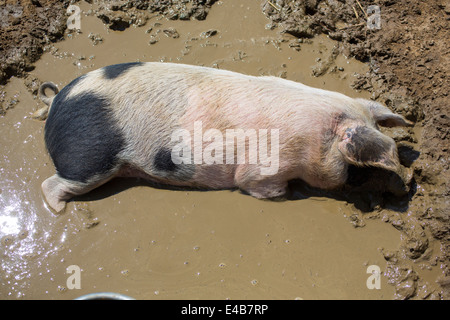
[(362, 144)]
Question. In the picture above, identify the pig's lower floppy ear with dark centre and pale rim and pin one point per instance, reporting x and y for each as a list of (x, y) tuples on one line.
[(365, 146)]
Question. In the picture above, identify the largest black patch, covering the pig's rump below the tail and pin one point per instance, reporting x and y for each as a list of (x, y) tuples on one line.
[(81, 136)]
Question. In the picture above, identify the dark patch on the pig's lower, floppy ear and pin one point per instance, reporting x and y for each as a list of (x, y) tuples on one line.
[(366, 146)]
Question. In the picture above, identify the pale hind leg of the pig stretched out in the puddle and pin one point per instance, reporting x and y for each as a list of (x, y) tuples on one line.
[(58, 190)]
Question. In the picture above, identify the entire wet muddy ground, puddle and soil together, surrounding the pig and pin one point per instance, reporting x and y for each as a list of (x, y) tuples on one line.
[(153, 243)]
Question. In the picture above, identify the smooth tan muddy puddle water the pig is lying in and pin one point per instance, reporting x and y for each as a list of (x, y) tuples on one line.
[(149, 243)]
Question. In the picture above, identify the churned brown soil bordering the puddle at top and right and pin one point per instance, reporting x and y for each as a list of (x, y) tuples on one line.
[(408, 61)]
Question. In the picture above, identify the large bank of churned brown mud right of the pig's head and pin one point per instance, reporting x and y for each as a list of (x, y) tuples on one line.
[(408, 57)]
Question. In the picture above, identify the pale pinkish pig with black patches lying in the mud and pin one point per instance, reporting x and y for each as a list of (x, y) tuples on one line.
[(119, 120)]
